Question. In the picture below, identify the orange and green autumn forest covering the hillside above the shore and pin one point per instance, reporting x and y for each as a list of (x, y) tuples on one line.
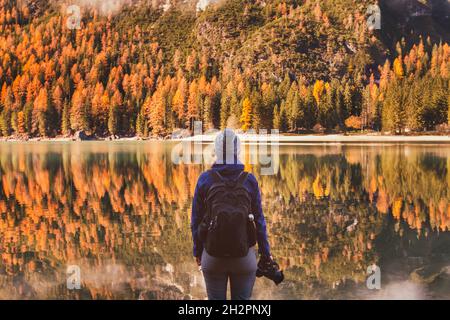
[(146, 71)]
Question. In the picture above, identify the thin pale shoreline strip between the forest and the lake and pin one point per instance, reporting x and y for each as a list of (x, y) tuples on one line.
[(253, 138)]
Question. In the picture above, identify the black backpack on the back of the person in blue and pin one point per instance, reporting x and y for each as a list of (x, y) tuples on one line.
[(225, 227)]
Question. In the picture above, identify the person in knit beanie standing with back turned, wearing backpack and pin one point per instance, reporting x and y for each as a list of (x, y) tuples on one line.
[(227, 221)]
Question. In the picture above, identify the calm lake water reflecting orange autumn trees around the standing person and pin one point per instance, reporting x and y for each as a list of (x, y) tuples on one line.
[(121, 212)]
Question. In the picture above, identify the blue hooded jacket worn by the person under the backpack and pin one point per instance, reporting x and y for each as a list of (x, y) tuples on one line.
[(198, 205)]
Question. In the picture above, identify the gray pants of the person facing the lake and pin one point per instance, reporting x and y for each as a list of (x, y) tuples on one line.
[(240, 271)]
